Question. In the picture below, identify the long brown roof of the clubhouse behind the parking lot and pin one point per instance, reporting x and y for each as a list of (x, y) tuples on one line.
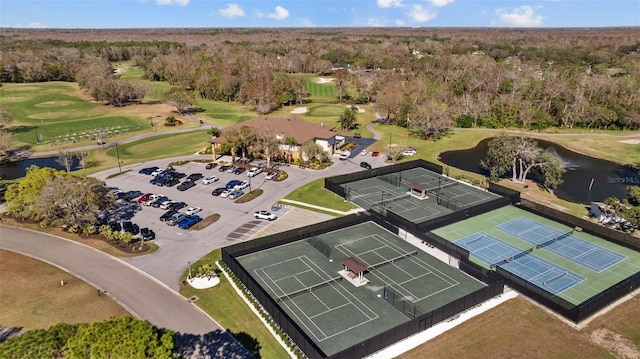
[(300, 130)]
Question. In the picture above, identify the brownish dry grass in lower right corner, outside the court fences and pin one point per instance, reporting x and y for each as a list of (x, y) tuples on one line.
[(520, 329)]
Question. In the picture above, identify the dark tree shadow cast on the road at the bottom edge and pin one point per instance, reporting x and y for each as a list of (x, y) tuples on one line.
[(212, 345)]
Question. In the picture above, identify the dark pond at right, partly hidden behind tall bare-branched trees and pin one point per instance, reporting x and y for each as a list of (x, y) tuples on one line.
[(609, 179)]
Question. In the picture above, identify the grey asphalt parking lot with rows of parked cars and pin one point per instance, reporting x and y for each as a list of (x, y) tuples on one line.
[(178, 247)]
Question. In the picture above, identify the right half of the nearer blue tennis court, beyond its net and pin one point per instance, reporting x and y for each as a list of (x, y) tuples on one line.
[(542, 273)]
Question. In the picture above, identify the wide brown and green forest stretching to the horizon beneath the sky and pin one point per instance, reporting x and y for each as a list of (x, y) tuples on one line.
[(417, 79)]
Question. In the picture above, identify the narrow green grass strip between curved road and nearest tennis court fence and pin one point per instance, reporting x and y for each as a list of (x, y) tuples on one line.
[(222, 303)]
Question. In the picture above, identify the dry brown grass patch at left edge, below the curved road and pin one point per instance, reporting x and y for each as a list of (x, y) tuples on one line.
[(32, 298)]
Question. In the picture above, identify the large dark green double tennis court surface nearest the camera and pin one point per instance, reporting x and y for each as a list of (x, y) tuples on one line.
[(307, 279)]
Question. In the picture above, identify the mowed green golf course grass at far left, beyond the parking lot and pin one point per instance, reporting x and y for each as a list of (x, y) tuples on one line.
[(53, 115)]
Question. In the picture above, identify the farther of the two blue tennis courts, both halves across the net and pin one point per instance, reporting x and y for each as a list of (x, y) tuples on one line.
[(565, 245)]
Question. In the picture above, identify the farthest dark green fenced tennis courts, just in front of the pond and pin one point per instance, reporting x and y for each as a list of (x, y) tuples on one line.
[(416, 194)]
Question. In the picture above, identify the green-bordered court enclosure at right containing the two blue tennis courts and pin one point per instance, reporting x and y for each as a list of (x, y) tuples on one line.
[(513, 227)]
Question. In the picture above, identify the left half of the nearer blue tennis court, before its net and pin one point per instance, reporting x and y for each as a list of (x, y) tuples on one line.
[(487, 248)]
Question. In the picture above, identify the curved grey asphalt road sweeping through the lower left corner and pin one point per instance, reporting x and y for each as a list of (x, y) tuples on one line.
[(198, 335)]
